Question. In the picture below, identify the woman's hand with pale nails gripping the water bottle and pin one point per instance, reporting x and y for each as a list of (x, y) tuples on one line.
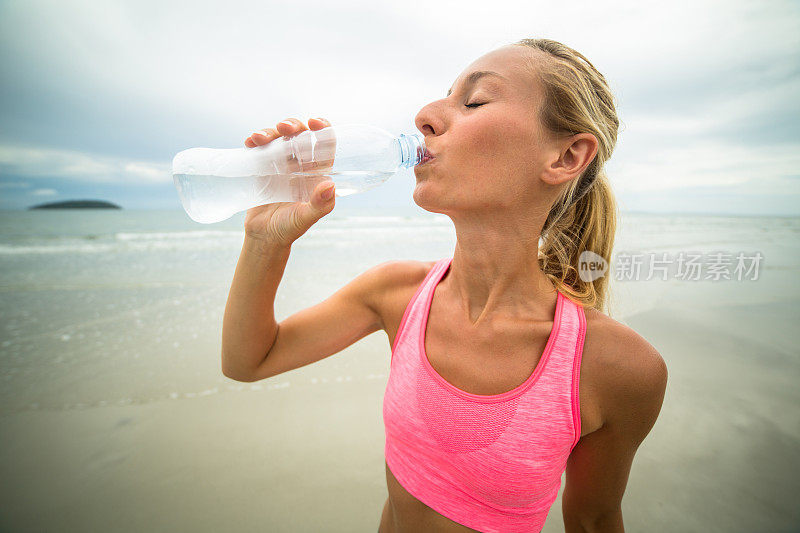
[(284, 222)]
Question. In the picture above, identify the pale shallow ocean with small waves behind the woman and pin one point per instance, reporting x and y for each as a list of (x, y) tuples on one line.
[(88, 293)]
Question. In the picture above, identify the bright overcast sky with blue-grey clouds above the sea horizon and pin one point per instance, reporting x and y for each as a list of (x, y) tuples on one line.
[(96, 98)]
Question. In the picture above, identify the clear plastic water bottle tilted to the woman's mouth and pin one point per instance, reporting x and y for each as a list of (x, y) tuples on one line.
[(214, 184)]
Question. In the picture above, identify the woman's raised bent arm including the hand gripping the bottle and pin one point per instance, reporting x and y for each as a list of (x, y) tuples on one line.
[(254, 345)]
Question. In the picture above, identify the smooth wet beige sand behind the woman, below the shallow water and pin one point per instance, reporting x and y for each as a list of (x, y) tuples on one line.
[(296, 453)]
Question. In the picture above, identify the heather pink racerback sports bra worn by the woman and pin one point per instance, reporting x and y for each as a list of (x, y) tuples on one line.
[(492, 463)]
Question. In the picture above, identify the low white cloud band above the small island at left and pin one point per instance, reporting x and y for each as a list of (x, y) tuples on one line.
[(79, 166)]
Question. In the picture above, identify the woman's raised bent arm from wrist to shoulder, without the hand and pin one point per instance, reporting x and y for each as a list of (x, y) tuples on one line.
[(255, 346)]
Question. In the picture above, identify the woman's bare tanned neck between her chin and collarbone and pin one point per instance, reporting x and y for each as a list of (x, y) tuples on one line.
[(495, 272)]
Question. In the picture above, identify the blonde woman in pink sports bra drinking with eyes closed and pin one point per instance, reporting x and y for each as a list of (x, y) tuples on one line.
[(505, 371)]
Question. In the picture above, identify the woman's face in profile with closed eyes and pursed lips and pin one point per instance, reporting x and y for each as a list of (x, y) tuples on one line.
[(487, 156)]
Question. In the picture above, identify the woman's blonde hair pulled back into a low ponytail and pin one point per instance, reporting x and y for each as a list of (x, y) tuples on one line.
[(577, 99)]
